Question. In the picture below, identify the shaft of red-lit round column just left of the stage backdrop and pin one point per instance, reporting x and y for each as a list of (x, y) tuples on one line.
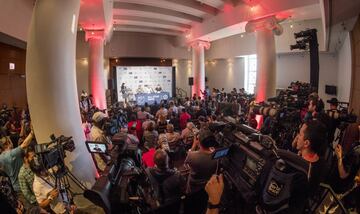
[(96, 71)]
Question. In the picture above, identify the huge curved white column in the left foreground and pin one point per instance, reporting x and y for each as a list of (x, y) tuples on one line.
[(51, 80)]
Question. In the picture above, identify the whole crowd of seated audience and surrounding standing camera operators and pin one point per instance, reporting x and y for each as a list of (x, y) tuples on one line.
[(177, 149)]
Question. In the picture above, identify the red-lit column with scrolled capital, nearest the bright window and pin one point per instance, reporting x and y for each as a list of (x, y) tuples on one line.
[(266, 55)]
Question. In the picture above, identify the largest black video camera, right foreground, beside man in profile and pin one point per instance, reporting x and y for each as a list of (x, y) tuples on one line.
[(258, 173)]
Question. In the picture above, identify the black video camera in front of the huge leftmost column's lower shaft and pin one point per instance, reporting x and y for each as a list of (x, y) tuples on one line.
[(53, 153)]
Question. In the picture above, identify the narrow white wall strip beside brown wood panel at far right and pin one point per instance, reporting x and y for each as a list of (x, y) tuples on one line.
[(344, 71)]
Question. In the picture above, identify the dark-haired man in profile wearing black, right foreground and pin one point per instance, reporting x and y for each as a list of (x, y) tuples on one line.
[(310, 143)]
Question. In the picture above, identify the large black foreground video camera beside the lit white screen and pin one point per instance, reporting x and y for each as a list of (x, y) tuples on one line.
[(121, 187)]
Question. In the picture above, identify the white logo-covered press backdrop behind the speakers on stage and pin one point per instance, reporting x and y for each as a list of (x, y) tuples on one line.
[(133, 76)]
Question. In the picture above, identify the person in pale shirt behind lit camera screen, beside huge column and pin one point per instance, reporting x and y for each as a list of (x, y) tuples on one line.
[(98, 134)]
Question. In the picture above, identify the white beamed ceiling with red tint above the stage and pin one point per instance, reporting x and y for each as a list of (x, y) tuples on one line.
[(177, 17)]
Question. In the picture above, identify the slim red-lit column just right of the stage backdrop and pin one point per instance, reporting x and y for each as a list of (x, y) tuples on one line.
[(198, 66)]
